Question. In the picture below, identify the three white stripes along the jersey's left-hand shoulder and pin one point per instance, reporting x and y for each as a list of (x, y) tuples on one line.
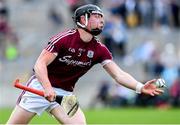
[(57, 38)]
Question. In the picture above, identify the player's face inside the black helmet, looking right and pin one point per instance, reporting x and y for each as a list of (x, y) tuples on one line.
[(96, 21)]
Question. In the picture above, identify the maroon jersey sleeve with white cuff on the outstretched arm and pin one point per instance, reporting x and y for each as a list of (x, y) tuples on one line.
[(105, 55)]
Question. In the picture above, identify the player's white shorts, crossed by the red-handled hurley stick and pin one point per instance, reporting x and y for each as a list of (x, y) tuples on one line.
[(35, 103)]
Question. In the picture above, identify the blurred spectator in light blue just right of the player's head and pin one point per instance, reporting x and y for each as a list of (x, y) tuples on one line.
[(115, 35)]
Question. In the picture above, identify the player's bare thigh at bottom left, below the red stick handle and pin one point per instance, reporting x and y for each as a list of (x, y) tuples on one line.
[(20, 116)]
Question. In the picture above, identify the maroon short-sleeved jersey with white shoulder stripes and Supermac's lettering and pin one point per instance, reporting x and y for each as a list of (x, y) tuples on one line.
[(74, 58)]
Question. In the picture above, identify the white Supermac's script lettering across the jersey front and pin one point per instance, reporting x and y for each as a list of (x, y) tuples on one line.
[(69, 61)]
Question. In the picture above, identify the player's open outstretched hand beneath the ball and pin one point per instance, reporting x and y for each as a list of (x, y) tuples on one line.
[(151, 89)]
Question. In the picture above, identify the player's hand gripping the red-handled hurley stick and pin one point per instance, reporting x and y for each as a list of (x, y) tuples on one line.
[(50, 94)]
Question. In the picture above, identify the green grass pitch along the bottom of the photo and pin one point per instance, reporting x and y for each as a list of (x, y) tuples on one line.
[(113, 116)]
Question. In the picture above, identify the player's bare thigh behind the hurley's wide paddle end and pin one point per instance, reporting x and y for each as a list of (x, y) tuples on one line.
[(77, 118)]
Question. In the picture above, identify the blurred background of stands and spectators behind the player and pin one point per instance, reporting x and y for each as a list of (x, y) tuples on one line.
[(143, 36)]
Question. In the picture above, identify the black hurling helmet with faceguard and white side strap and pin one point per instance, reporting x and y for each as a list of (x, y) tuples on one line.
[(87, 10)]
